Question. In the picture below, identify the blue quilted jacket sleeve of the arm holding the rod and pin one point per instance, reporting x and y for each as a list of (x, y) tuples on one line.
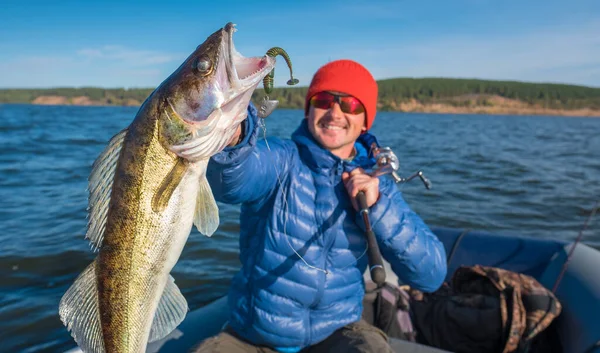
[(416, 255)]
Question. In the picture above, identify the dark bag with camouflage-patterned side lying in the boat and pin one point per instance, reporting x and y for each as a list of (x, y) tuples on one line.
[(484, 309)]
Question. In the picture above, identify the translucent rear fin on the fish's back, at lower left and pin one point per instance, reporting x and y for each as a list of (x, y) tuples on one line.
[(78, 310)]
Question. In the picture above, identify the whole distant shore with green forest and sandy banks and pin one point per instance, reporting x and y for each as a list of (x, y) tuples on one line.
[(410, 95)]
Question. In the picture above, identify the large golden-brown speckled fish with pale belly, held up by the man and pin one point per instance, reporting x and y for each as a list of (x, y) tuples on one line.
[(147, 189)]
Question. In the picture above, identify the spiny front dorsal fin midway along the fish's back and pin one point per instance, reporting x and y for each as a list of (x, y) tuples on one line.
[(100, 186)]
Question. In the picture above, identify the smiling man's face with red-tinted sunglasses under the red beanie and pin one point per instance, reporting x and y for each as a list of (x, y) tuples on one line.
[(332, 124)]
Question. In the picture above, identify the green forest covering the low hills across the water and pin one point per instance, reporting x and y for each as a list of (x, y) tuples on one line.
[(455, 92)]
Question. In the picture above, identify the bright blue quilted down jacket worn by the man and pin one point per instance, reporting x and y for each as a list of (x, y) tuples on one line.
[(302, 244)]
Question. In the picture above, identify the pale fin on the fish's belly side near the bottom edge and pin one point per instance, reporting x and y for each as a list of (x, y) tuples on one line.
[(170, 312)]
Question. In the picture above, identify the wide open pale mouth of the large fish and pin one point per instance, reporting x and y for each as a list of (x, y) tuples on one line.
[(244, 72)]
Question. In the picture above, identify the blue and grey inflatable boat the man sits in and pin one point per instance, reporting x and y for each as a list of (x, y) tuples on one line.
[(578, 325)]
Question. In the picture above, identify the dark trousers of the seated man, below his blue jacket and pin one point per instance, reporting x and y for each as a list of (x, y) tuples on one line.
[(358, 337)]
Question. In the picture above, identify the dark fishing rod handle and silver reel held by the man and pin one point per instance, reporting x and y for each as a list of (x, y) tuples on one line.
[(387, 163)]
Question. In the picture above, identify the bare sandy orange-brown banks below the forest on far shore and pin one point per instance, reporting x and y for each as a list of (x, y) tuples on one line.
[(494, 105)]
